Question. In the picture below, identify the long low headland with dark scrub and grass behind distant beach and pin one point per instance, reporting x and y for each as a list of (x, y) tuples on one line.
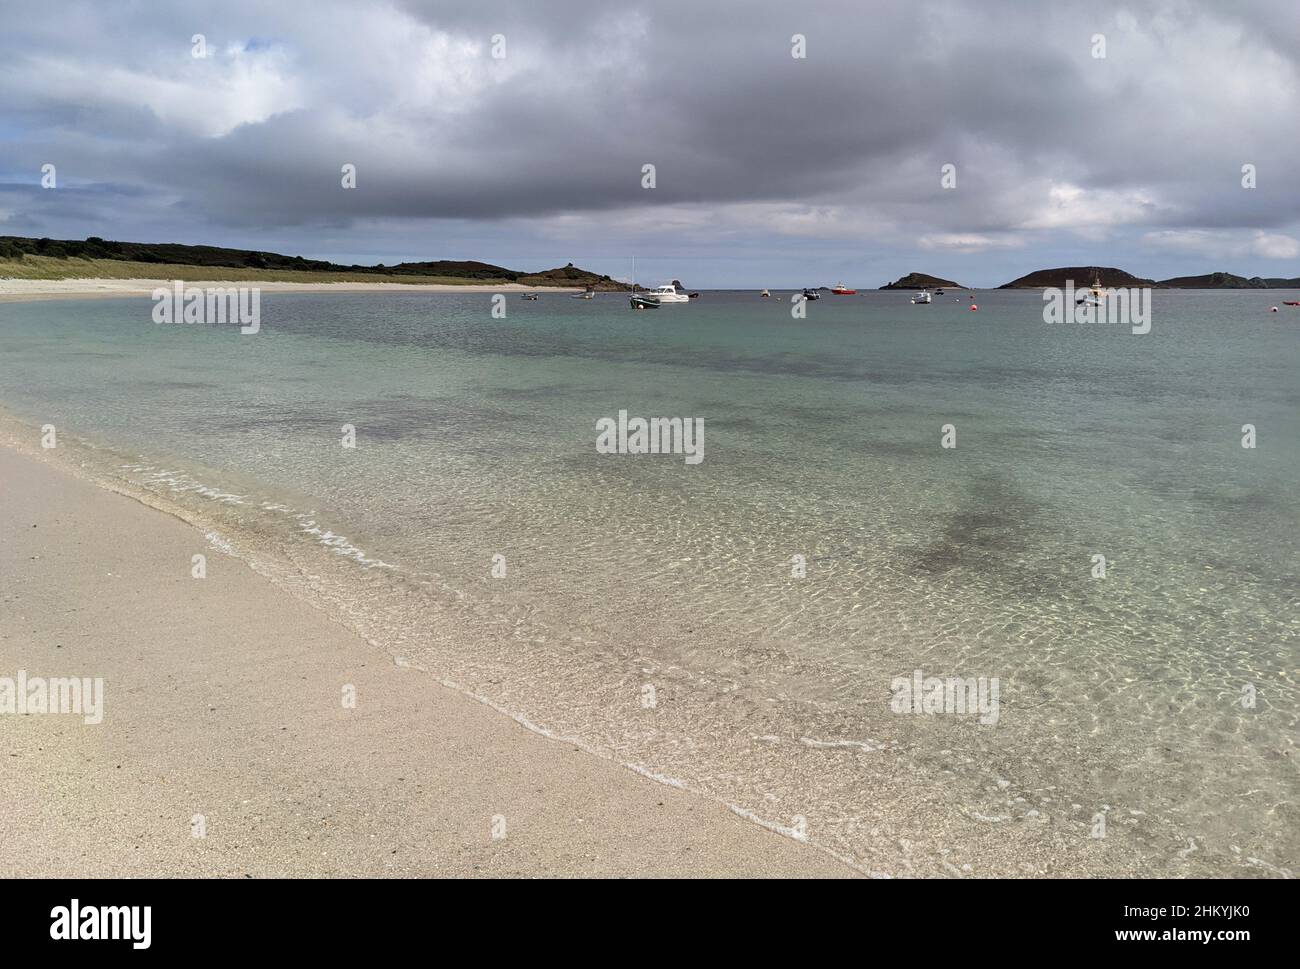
[(67, 259)]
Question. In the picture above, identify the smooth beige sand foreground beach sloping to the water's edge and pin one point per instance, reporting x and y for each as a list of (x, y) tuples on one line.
[(223, 711)]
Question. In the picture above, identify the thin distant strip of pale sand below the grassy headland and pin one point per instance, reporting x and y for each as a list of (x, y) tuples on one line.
[(27, 291)]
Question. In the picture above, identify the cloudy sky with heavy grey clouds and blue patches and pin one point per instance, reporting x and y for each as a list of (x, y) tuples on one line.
[(770, 170)]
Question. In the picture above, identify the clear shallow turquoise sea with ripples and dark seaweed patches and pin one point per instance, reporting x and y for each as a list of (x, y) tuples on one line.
[(1121, 697)]
